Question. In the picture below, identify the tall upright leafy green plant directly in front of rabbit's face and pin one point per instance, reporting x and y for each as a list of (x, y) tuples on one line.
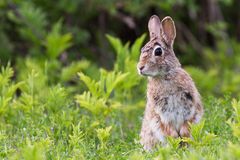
[(126, 62)]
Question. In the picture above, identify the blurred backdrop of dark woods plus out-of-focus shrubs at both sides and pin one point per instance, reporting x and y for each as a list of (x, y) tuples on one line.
[(208, 33)]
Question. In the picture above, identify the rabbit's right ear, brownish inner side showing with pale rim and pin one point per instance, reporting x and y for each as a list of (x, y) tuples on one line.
[(168, 30)]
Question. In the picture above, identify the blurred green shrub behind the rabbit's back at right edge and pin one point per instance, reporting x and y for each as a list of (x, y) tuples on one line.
[(221, 76)]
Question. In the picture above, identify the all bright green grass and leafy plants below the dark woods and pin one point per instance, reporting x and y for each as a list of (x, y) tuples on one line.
[(52, 111)]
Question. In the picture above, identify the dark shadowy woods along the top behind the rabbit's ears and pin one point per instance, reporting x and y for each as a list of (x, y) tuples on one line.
[(200, 24)]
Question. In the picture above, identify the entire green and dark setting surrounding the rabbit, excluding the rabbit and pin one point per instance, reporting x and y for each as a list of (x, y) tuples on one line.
[(69, 87)]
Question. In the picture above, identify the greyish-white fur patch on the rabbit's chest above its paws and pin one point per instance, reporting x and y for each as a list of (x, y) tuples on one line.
[(174, 109)]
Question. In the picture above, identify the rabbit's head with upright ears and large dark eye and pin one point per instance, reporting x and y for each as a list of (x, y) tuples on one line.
[(157, 57)]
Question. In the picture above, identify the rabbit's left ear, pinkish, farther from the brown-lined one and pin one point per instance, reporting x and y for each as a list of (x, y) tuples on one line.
[(154, 27)]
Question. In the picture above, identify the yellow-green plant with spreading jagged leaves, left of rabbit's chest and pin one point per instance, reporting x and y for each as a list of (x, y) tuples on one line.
[(99, 92)]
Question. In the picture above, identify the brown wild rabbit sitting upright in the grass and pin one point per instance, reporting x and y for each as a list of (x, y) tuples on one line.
[(173, 101)]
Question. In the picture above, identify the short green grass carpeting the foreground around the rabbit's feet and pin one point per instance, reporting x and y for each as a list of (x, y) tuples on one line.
[(49, 123)]
